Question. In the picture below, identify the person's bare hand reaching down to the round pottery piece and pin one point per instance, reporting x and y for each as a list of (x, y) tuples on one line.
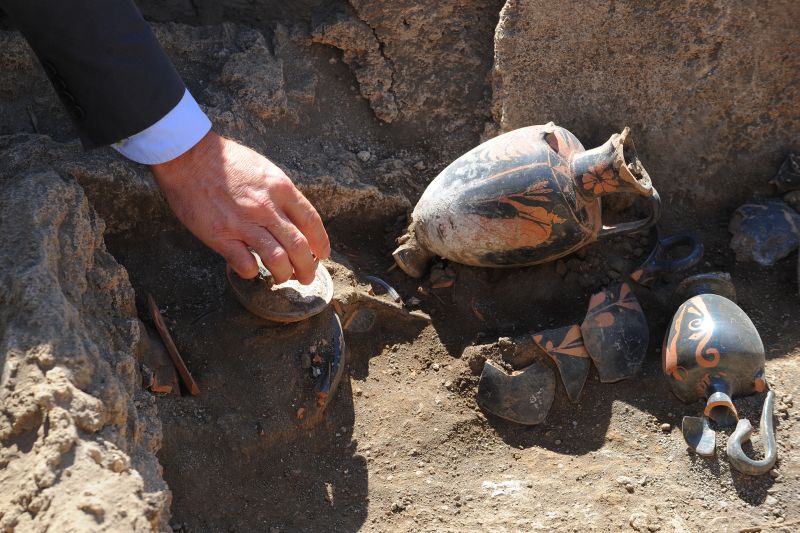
[(233, 199)]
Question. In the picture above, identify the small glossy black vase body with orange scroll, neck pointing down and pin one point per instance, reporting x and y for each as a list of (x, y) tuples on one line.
[(712, 350)]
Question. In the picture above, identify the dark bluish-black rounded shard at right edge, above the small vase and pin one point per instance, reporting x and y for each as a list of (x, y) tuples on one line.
[(764, 232)]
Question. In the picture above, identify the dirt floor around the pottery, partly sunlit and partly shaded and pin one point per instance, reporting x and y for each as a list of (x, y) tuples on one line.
[(403, 446)]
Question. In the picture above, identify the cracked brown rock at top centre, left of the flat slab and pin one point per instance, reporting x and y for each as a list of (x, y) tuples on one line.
[(419, 63)]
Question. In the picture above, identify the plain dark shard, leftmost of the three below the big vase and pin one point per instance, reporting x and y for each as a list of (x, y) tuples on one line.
[(524, 397)]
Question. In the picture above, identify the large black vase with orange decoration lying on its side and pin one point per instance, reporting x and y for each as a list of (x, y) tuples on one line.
[(529, 196)]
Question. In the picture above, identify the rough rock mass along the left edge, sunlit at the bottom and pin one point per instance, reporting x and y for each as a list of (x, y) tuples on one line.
[(78, 435)]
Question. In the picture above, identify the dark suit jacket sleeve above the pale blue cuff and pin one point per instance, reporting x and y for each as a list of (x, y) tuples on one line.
[(103, 60)]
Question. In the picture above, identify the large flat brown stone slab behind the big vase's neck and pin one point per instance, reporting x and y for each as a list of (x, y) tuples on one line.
[(710, 90)]
